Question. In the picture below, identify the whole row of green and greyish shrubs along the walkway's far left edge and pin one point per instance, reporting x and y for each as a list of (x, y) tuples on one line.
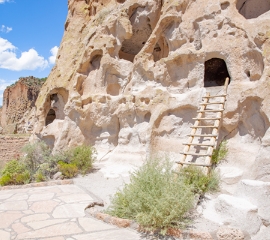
[(39, 164)]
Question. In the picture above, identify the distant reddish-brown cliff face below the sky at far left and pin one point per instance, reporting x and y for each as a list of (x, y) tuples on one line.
[(18, 105)]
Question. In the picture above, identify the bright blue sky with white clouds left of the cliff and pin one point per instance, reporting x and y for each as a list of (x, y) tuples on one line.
[(30, 34)]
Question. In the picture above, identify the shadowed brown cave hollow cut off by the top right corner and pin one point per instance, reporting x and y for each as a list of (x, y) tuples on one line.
[(252, 8)]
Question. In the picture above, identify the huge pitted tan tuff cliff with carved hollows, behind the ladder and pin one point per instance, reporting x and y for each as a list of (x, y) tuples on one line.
[(129, 77)]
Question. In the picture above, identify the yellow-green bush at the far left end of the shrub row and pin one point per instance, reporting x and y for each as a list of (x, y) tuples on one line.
[(14, 172)]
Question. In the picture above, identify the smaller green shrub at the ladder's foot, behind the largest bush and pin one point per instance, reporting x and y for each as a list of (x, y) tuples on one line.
[(201, 183)]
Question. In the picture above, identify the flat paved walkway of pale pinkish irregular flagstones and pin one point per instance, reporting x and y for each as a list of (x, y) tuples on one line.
[(53, 213)]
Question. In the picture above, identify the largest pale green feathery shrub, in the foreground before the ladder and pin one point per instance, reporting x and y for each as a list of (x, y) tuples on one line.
[(155, 197)]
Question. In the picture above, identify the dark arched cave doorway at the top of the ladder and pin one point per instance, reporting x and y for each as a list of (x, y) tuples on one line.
[(215, 72)]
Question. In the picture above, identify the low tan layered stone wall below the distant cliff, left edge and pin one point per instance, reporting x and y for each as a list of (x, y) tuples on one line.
[(10, 147)]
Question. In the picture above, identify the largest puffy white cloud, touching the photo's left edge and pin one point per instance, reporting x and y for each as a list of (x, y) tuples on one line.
[(29, 60)]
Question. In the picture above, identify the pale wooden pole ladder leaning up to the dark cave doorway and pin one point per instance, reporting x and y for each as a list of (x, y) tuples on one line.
[(211, 139)]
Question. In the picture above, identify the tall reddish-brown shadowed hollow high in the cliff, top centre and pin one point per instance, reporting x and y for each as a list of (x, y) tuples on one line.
[(141, 31)]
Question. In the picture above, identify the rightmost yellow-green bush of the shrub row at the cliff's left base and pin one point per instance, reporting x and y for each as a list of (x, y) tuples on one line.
[(82, 157)]
